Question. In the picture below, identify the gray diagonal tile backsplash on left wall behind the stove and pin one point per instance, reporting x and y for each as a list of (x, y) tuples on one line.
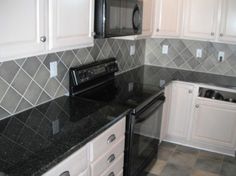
[(26, 82)]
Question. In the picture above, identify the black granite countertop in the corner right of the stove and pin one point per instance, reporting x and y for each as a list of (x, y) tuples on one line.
[(156, 76)]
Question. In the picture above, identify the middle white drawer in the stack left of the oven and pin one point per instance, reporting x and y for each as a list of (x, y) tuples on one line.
[(105, 161)]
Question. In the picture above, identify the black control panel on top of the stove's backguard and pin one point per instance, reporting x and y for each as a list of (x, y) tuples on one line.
[(84, 74)]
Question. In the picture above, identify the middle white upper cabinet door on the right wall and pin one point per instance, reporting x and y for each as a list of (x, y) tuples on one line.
[(200, 18)]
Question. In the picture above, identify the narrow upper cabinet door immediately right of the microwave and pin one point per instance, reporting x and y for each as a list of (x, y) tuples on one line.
[(148, 10)]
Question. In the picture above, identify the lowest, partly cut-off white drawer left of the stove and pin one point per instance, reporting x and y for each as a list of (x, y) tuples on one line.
[(115, 168)]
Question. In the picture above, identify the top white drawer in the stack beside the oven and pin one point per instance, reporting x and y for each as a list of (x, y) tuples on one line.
[(107, 139)]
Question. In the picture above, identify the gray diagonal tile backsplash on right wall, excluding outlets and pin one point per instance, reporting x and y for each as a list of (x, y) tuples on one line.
[(182, 55)]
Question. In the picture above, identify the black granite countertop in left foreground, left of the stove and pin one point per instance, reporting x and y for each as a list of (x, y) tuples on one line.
[(36, 140)]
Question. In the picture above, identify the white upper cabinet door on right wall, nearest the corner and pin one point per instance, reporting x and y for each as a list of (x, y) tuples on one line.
[(168, 18)]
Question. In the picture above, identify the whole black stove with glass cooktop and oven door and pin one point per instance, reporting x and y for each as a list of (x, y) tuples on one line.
[(97, 81)]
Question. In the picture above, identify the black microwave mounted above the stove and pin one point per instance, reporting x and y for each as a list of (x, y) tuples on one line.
[(114, 18)]
